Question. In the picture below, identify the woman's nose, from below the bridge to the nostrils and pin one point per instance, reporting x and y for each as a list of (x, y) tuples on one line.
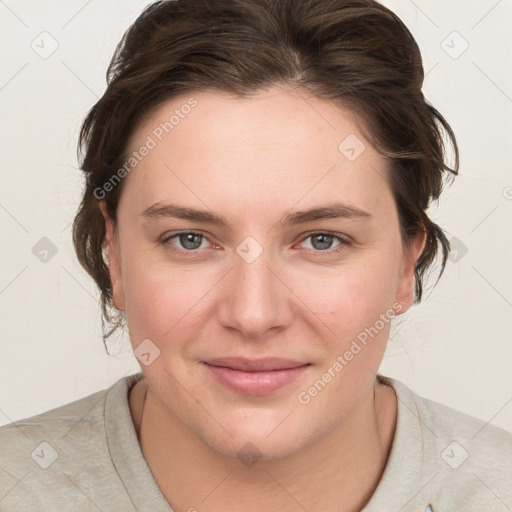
[(255, 300)]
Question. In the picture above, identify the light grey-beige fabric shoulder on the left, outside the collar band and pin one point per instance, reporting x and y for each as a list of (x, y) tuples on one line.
[(58, 456)]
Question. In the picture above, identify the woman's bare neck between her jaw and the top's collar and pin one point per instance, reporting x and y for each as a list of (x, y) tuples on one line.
[(338, 473)]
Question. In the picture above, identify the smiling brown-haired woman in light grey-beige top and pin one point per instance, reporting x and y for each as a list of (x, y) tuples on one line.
[(258, 176)]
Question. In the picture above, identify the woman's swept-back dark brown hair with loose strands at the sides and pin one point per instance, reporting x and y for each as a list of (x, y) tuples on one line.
[(354, 53)]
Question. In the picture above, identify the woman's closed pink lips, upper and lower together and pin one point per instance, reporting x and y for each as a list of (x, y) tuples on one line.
[(255, 377)]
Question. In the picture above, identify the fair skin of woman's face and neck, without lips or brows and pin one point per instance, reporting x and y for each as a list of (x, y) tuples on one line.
[(253, 161)]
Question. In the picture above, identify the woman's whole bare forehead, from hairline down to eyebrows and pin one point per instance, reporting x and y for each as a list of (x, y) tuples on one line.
[(274, 147)]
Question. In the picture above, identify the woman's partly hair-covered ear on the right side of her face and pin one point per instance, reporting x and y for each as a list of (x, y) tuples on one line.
[(404, 298)]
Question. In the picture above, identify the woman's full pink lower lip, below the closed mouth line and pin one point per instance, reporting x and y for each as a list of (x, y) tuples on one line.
[(255, 383)]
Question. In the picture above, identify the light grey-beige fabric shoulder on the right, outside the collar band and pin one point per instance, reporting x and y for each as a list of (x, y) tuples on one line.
[(465, 462)]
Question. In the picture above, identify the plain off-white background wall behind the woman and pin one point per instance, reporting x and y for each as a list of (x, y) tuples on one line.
[(455, 347)]
